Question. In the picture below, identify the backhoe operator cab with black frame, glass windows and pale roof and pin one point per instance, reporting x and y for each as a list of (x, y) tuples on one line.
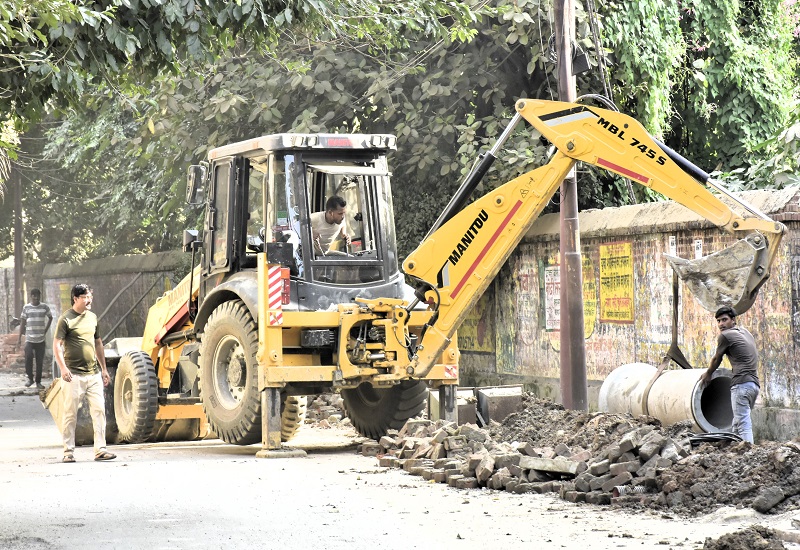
[(262, 194)]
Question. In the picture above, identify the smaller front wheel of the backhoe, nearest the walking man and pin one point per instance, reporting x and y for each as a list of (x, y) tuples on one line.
[(135, 397)]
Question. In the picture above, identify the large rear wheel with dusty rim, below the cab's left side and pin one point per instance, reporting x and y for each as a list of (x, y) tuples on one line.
[(229, 374)]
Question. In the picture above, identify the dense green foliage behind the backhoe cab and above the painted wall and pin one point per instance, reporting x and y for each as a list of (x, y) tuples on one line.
[(446, 86)]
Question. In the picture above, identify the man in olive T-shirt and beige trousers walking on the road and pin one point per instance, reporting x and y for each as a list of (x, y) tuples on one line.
[(78, 351)]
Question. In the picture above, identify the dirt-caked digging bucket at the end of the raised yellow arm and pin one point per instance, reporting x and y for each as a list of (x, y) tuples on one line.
[(730, 277)]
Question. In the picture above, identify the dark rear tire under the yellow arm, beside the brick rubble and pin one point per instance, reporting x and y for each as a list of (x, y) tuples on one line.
[(374, 411)]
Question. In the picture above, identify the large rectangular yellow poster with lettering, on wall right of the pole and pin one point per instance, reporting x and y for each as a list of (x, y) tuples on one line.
[(616, 282)]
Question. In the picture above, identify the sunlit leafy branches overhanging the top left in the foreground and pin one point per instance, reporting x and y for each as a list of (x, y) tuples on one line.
[(54, 49)]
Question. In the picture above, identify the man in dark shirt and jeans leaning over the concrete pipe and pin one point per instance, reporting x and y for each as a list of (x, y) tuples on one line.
[(738, 344)]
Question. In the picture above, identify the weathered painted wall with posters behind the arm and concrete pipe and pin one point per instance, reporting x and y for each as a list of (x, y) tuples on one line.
[(627, 288)]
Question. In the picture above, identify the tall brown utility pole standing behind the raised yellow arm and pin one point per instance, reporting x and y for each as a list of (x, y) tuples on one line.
[(574, 391)]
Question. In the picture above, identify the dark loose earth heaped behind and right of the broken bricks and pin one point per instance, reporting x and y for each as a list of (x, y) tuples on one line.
[(765, 477)]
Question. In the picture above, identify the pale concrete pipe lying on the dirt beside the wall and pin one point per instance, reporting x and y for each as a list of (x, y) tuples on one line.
[(673, 397)]
